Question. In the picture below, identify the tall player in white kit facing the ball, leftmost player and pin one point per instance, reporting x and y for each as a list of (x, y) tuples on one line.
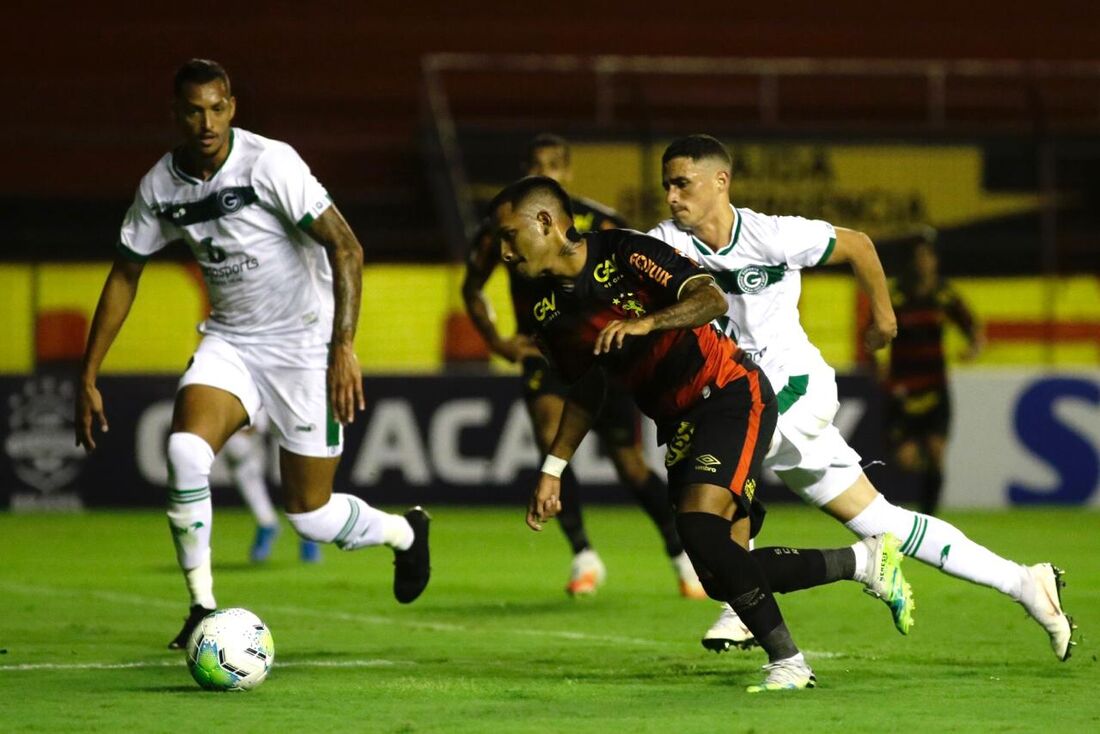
[(284, 275)]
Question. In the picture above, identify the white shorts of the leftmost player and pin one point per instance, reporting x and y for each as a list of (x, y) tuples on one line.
[(292, 389)]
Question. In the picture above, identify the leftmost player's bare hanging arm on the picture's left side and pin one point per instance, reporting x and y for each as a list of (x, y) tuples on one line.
[(115, 303)]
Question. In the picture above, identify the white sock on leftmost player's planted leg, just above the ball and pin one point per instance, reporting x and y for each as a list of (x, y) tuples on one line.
[(191, 512)]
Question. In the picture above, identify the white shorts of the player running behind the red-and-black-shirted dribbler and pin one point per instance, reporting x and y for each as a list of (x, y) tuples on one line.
[(808, 453)]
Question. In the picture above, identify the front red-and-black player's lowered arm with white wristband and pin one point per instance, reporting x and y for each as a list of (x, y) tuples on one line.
[(582, 404)]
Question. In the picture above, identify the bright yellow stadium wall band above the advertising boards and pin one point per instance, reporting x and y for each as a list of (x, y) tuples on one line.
[(1032, 322)]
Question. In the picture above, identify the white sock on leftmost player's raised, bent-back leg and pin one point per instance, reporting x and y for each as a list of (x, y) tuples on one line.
[(350, 523)]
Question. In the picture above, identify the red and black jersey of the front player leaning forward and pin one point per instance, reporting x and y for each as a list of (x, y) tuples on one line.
[(629, 276)]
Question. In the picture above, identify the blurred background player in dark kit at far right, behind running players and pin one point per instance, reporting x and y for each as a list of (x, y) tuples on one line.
[(920, 411)]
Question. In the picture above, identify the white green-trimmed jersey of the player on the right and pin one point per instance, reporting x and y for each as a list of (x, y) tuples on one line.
[(758, 270)]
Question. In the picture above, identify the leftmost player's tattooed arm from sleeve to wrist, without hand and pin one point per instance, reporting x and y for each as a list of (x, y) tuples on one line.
[(346, 256)]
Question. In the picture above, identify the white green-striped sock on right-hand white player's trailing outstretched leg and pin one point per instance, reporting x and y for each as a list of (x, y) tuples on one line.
[(940, 544)]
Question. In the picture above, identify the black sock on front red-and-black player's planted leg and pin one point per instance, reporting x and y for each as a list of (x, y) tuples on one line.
[(733, 572)]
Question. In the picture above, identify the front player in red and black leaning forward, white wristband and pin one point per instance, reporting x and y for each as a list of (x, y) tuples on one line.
[(620, 306)]
